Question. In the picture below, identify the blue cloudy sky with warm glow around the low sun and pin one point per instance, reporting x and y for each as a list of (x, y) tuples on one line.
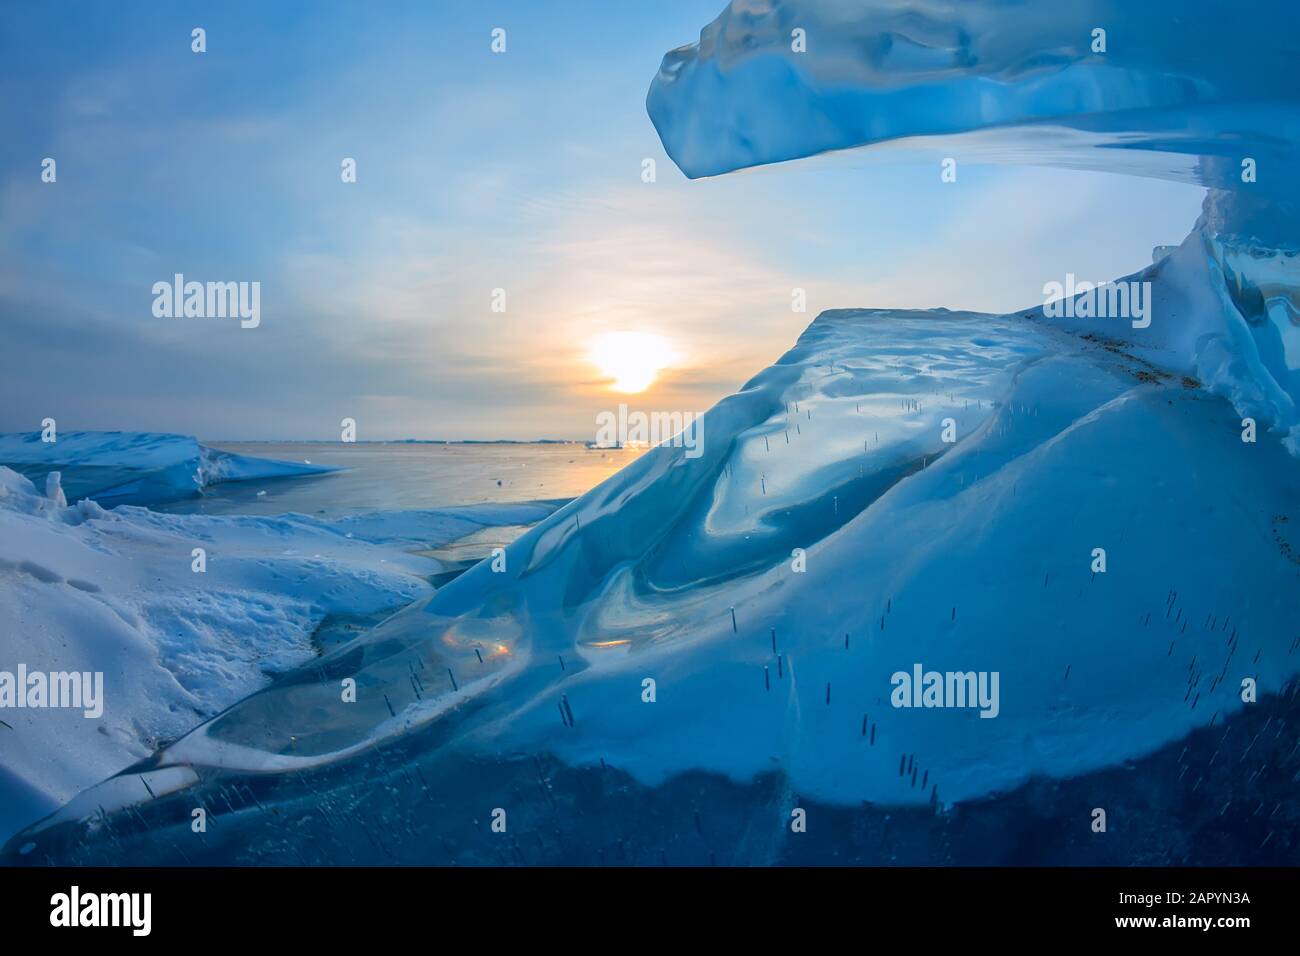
[(475, 172)]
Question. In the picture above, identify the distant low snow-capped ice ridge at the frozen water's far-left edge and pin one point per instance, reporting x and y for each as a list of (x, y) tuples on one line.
[(136, 468)]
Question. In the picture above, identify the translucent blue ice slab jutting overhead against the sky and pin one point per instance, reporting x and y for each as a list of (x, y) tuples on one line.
[(1185, 97)]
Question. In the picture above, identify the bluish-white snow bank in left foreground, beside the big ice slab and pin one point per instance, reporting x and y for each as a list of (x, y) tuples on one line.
[(118, 592)]
